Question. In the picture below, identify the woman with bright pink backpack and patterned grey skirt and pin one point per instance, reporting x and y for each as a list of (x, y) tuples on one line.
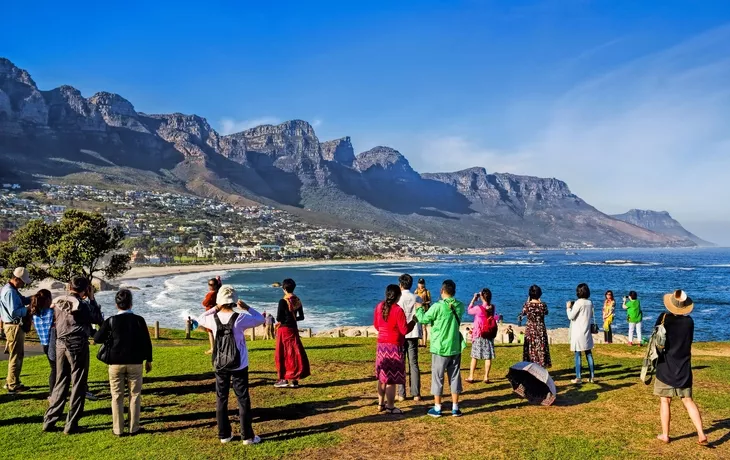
[(483, 332)]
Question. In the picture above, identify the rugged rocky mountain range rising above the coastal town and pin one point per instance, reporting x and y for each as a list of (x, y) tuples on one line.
[(59, 135)]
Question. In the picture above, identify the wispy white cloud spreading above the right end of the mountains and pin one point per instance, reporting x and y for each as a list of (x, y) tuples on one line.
[(652, 133)]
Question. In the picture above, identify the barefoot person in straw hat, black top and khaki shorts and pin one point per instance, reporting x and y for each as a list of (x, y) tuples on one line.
[(674, 366)]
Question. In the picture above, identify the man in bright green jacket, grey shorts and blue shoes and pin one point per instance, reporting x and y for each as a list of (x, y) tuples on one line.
[(446, 346)]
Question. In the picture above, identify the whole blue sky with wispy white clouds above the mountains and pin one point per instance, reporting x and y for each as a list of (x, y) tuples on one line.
[(627, 101)]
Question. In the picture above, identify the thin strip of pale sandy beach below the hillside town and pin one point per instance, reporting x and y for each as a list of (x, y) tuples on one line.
[(136, 273)]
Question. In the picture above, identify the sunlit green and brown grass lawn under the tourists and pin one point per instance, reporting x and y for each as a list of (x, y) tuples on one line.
[(334, 415)]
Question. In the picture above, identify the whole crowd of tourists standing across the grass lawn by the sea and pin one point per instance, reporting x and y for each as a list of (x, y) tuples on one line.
[(65, 326)]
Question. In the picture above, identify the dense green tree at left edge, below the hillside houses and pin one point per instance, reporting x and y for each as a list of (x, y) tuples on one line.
[(81, 243)]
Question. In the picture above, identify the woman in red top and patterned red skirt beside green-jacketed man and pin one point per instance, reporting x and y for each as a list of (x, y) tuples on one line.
[(390, 364)]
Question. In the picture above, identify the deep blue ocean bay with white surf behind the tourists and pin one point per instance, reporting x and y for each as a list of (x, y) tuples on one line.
[(346, 294)]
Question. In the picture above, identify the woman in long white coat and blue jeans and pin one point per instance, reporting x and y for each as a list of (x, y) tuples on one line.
[(580, 314)]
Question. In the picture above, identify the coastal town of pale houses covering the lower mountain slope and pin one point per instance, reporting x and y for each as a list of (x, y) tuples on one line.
[(165, 228)]
